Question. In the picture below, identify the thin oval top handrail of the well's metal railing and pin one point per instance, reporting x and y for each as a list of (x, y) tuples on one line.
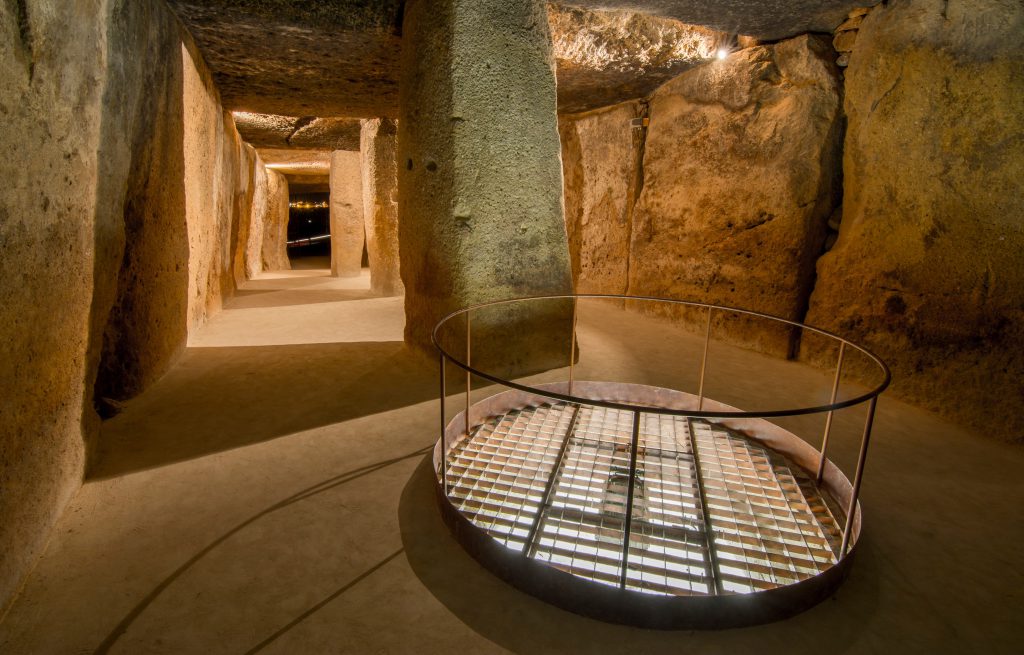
[(773, 414)]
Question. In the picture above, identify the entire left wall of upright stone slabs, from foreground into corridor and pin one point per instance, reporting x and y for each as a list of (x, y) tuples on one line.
[(111, 213)]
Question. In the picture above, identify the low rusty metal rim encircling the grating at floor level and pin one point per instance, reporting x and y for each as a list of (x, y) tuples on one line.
[(635, 608)]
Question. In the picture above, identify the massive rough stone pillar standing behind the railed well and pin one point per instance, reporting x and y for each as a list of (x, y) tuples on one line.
[(481, 214)]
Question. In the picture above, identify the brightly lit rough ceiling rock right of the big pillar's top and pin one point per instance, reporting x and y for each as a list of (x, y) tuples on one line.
[(605, 58)]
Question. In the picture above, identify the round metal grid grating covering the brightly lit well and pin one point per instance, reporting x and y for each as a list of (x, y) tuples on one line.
[(713, 511)]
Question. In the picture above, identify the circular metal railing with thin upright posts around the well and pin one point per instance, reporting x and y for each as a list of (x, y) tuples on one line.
[(505, 322)]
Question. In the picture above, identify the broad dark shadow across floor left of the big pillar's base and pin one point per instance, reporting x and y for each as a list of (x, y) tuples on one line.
[(226, 398)]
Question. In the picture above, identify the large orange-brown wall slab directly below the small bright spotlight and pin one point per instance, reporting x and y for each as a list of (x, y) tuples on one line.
[(741, 173)]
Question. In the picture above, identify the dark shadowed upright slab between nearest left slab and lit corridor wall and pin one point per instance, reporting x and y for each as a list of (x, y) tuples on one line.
[(144, 263)]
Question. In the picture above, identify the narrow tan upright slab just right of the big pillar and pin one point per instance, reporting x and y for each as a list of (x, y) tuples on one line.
[(601, 156)]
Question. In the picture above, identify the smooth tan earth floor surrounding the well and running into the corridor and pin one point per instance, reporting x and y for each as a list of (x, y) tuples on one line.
[(273, 494)]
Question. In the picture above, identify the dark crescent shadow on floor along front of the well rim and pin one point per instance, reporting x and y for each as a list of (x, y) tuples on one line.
[(524, 625)]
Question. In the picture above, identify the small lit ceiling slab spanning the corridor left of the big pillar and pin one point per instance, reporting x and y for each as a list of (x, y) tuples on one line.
[(271, 132)]
